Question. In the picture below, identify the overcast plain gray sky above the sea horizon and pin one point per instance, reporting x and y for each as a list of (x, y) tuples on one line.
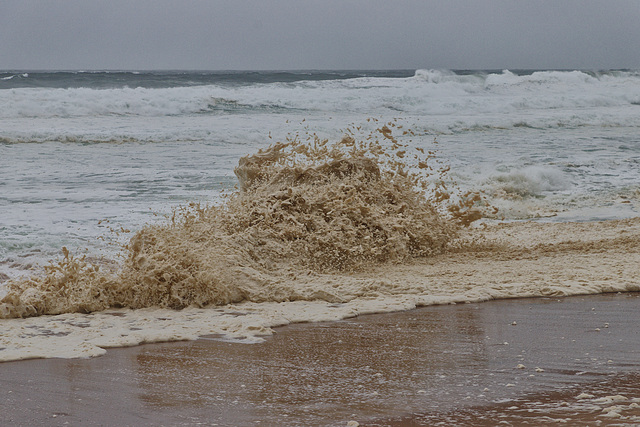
[(325, 34)]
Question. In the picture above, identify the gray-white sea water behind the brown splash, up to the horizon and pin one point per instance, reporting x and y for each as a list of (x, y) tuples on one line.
[(89, 158)]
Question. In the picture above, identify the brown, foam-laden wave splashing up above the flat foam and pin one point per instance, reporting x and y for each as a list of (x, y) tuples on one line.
[(304, 207)]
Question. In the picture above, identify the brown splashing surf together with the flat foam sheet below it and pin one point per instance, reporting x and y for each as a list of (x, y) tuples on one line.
[(316, 229)]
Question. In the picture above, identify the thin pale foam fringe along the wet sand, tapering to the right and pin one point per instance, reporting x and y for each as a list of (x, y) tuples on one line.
[(80, 335)]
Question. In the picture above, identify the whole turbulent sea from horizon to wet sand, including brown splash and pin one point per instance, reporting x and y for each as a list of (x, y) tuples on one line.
[(89, 158)]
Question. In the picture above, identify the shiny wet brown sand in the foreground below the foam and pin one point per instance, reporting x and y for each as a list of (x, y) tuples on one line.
[(530, 361)]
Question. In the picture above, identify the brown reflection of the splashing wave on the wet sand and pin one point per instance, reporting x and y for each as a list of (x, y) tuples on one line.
[(328, 370)]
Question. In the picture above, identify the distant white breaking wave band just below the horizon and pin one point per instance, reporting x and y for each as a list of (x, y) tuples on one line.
[(535, 99)]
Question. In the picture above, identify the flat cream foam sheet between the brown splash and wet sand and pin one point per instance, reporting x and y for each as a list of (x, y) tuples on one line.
[(526, 260)]
